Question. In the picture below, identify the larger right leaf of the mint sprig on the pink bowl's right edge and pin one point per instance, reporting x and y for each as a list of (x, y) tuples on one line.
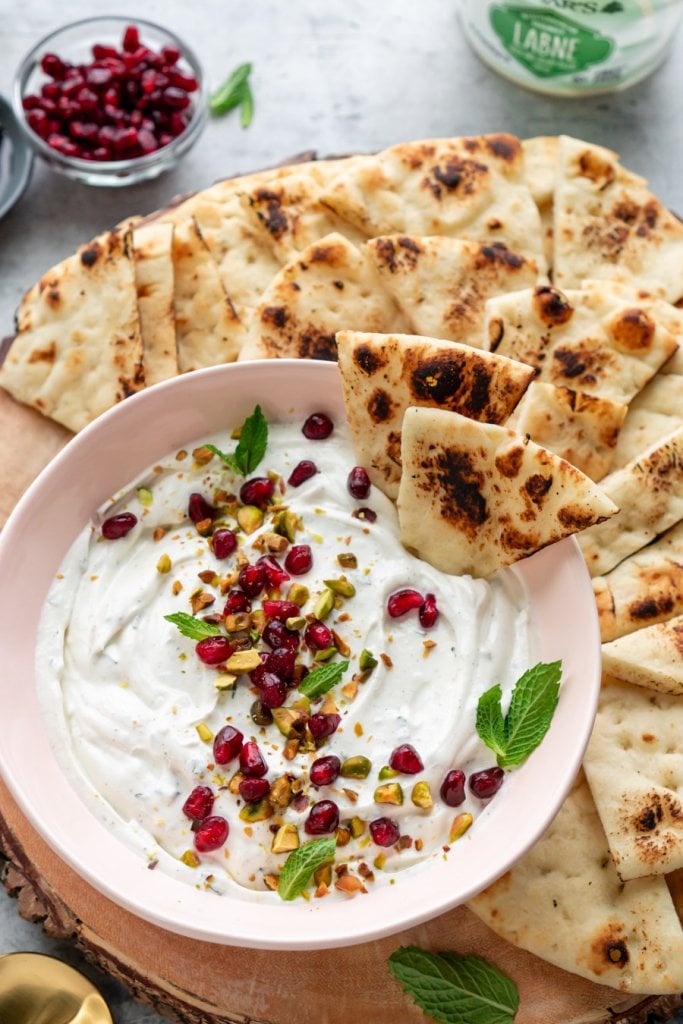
[(532, 708)]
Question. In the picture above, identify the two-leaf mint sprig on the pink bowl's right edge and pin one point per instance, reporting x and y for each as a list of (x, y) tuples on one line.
[(533, 705)]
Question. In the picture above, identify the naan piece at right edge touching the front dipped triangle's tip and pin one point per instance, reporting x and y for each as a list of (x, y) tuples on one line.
[(650, 494)]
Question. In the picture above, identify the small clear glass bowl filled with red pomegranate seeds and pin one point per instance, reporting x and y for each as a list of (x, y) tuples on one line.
[(110, 102)]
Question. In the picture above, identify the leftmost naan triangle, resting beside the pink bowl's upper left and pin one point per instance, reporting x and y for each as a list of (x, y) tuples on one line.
[(79, 349)]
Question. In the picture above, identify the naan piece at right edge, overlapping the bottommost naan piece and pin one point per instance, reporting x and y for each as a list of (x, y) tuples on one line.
[(634, 766)]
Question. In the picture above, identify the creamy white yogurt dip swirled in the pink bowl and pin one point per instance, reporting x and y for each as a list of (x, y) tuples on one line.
[(132, 710)]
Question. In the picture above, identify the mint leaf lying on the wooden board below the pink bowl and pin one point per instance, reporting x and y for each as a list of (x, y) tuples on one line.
[(455, 990)]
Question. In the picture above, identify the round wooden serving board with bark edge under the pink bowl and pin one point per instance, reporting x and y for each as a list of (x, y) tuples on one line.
[(202, 984)]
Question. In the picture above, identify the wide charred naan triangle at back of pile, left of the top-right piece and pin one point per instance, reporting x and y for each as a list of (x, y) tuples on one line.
[(464, 188)]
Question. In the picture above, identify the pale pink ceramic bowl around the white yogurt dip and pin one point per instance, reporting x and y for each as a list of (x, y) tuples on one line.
[(106, 457)]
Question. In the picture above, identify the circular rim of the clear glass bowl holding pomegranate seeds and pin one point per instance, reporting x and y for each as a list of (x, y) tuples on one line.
[(174, 150)]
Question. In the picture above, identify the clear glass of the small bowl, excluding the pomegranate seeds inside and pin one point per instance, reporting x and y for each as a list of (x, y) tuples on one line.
[(73, 45)]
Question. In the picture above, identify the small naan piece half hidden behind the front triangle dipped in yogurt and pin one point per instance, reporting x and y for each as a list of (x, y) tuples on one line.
[(578, 428)]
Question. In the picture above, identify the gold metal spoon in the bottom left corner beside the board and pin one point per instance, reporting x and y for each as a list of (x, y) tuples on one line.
[(39, 990)]
